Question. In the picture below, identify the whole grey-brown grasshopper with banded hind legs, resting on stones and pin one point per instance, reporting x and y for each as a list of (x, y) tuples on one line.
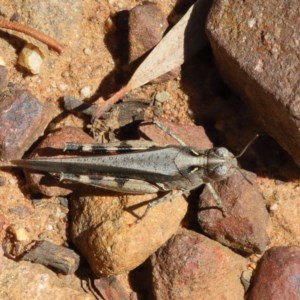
[(141, 167)]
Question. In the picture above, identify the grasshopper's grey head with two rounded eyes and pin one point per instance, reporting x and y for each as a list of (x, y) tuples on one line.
[(220, 164)]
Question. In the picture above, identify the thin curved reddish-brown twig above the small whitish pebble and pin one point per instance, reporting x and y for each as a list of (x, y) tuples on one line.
[(32, 32)]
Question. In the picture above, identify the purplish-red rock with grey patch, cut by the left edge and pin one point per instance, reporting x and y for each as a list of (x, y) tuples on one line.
[(22, 120)]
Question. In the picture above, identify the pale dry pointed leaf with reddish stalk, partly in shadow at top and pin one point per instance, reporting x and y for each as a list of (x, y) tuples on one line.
[(180, 43)]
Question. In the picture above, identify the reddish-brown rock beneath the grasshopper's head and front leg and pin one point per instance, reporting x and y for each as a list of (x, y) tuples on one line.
[(244, 227)]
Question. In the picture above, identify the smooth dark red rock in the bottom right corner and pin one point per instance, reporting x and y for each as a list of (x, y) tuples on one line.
[(277, 275)]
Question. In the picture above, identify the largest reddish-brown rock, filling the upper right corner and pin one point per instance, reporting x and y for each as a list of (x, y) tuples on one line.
[(256, 47)]
